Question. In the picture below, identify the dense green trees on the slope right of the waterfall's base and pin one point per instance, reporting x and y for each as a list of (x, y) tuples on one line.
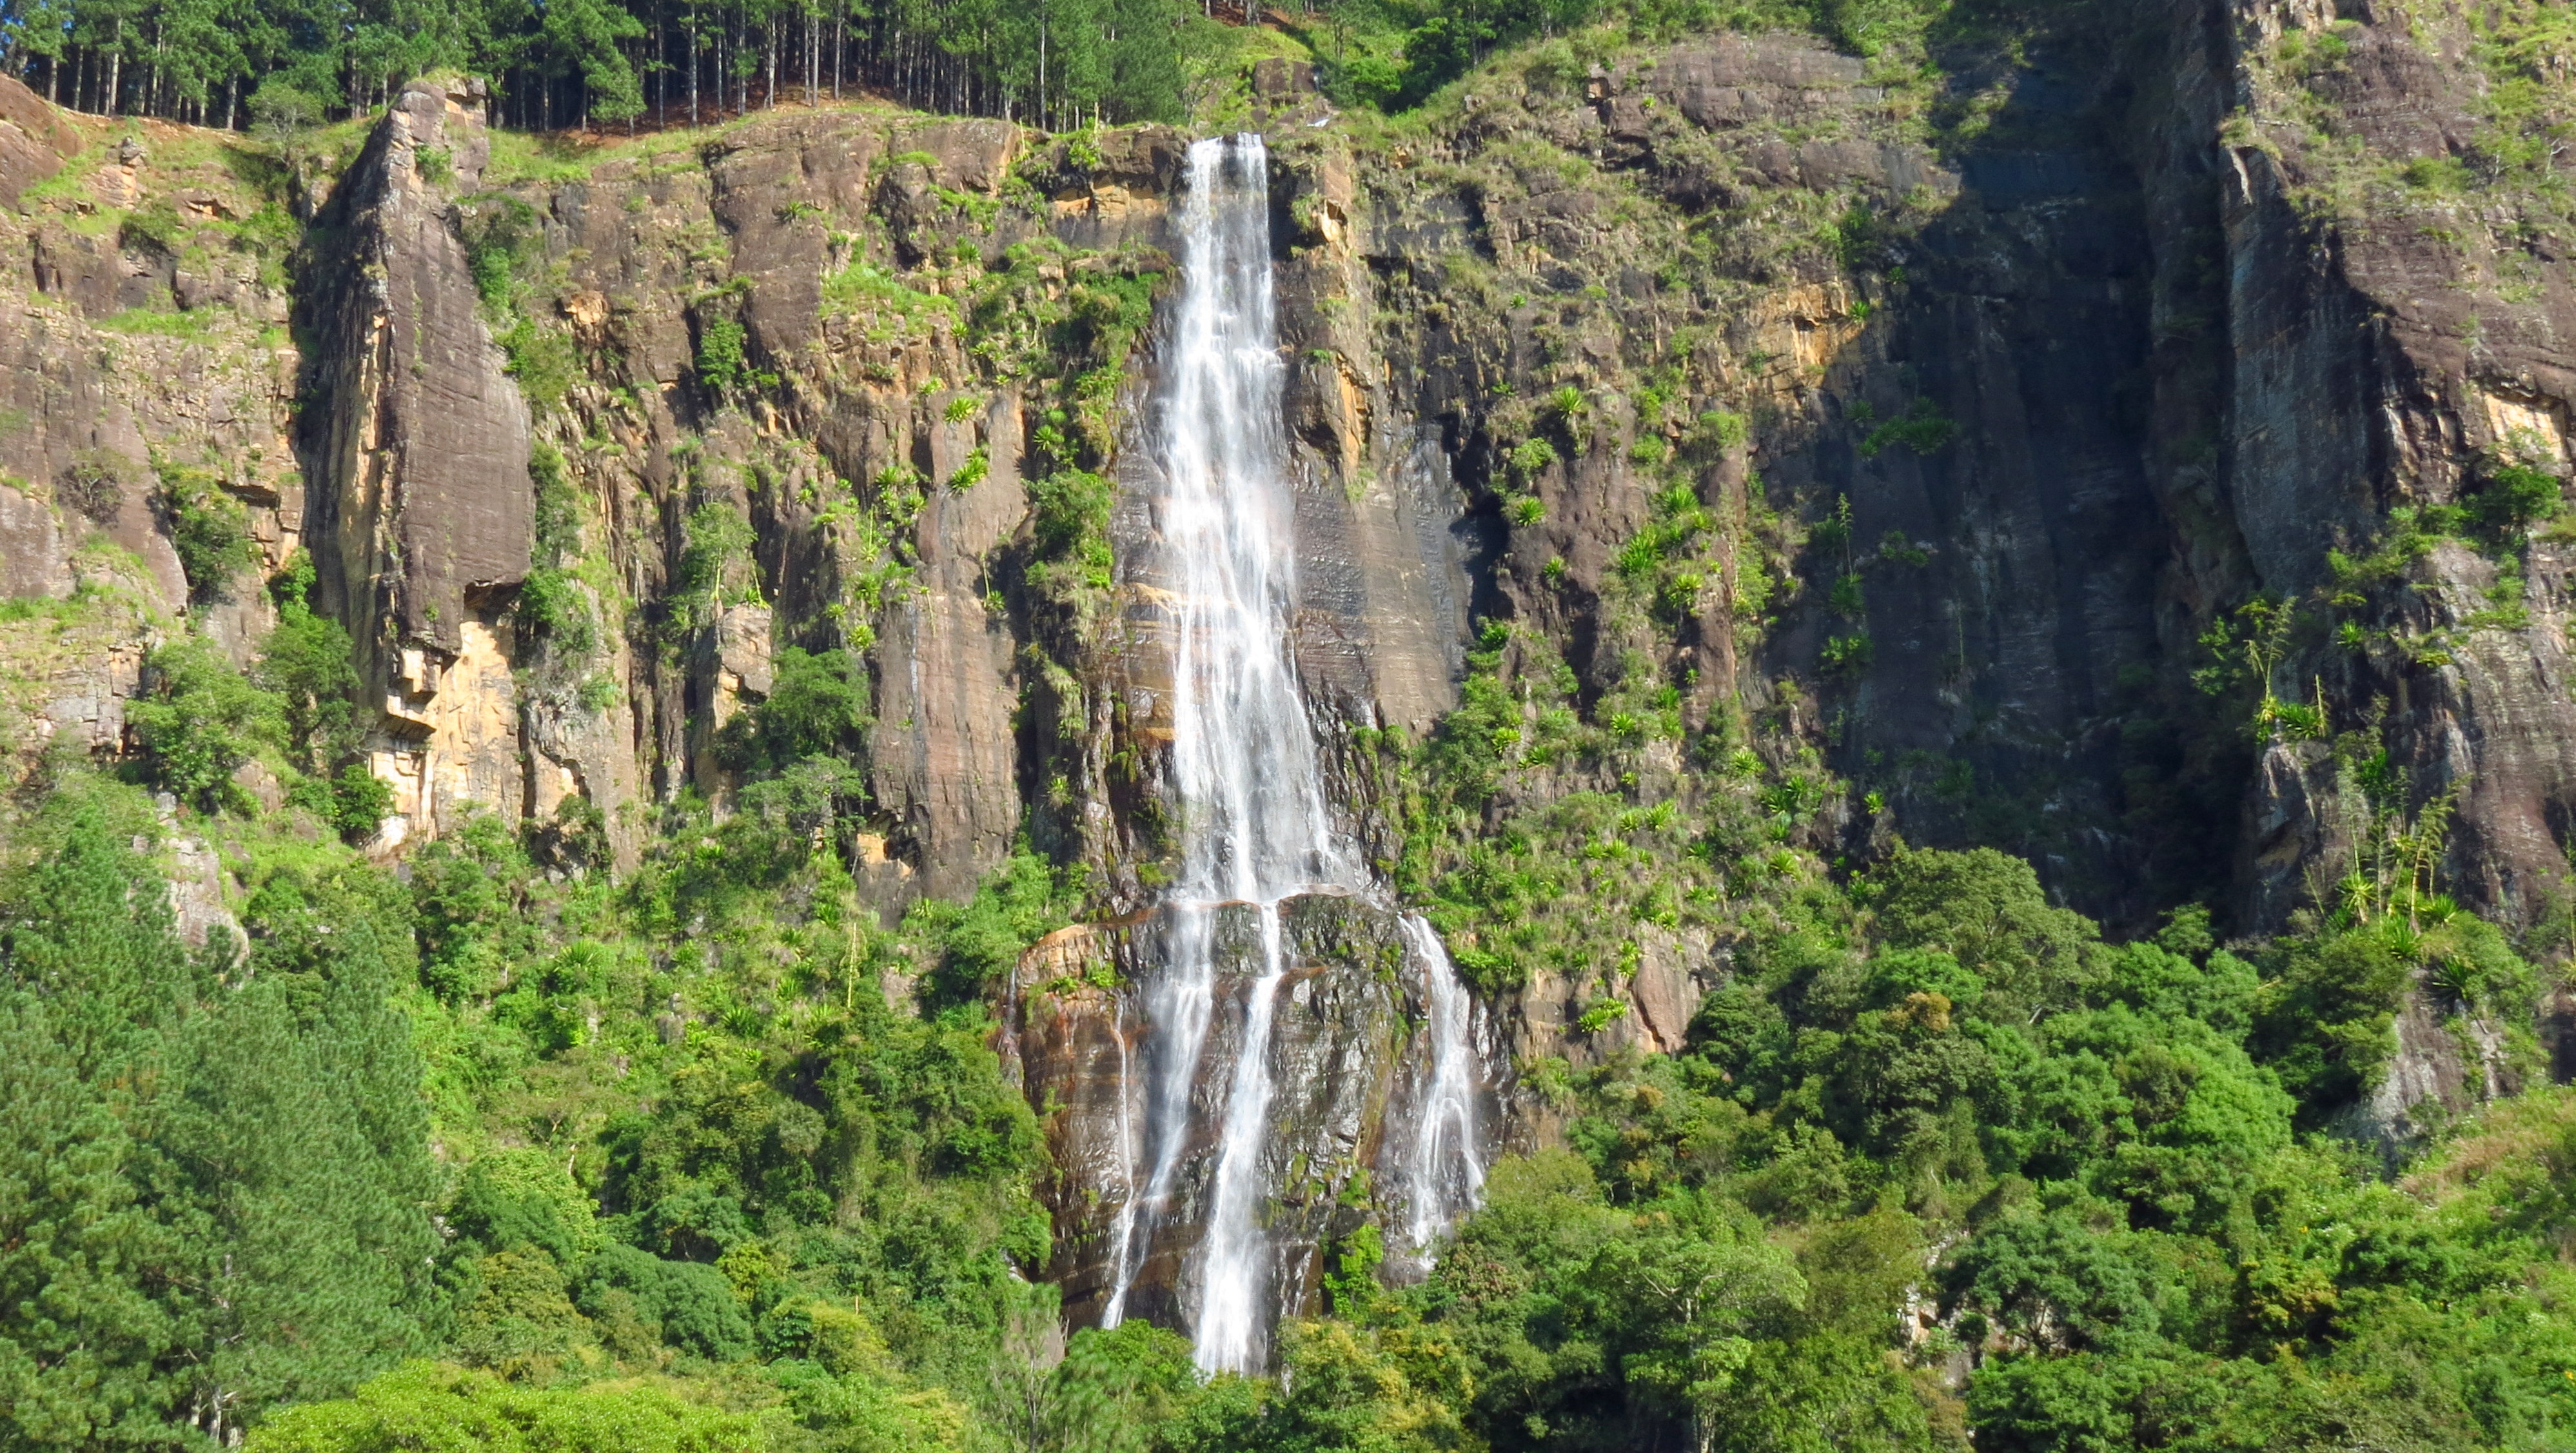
[(2093, 1148)]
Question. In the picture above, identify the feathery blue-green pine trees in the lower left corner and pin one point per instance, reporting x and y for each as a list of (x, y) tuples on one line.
[(218, 1158)]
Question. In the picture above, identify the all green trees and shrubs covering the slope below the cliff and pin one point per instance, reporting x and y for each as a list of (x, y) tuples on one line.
[(735, 1199)]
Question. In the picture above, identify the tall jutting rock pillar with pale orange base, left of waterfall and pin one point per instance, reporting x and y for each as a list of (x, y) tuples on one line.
[(419, 447)]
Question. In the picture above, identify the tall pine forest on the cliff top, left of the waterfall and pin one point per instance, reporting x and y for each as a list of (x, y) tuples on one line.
[(285, 66)]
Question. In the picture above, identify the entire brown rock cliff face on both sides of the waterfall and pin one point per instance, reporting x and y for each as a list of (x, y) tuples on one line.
[(1820, 426)]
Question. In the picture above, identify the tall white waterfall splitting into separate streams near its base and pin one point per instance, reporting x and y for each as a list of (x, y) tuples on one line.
[(1256, 826)]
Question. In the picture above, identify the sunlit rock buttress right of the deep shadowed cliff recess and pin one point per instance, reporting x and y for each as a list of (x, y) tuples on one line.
[(2392, 347)]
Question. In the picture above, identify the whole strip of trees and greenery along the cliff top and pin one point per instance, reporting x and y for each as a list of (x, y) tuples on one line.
[(586, 63)]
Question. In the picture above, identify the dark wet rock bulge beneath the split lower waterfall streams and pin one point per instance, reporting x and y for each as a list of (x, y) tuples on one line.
[(1349, 1063)]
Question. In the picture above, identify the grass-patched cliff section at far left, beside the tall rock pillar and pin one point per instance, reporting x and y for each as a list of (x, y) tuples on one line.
[(148, 380)]
